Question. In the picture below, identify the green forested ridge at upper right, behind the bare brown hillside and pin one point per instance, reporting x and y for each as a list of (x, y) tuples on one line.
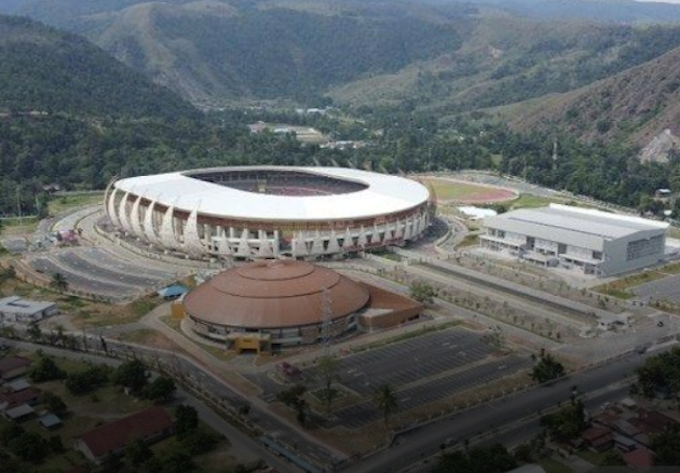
[(505, 60)]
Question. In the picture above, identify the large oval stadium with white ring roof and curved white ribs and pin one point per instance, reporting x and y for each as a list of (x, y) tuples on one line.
[(269, 211)]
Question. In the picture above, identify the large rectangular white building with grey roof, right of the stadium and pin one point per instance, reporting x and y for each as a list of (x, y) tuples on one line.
[(593, 241)]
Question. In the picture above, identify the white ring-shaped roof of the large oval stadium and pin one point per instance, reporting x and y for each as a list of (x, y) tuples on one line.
[(384, 195)]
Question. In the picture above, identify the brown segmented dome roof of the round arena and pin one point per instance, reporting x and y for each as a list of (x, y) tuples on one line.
[(272, 294)]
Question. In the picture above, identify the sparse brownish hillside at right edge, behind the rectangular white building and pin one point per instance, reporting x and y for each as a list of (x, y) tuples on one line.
[(637, 105)]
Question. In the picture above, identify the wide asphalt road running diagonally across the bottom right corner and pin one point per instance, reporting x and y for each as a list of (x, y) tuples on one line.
[(426, 440)]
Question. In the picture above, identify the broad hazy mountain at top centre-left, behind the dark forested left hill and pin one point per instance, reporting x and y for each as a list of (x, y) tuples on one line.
[(218, 52)]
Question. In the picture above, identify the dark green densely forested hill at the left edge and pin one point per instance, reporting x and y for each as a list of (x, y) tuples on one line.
[(48, 70)]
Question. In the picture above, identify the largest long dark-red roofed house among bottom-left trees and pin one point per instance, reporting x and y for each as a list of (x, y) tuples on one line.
[(150, 425)]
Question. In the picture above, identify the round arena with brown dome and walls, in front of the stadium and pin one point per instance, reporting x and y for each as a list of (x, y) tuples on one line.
[(273, 304)]
